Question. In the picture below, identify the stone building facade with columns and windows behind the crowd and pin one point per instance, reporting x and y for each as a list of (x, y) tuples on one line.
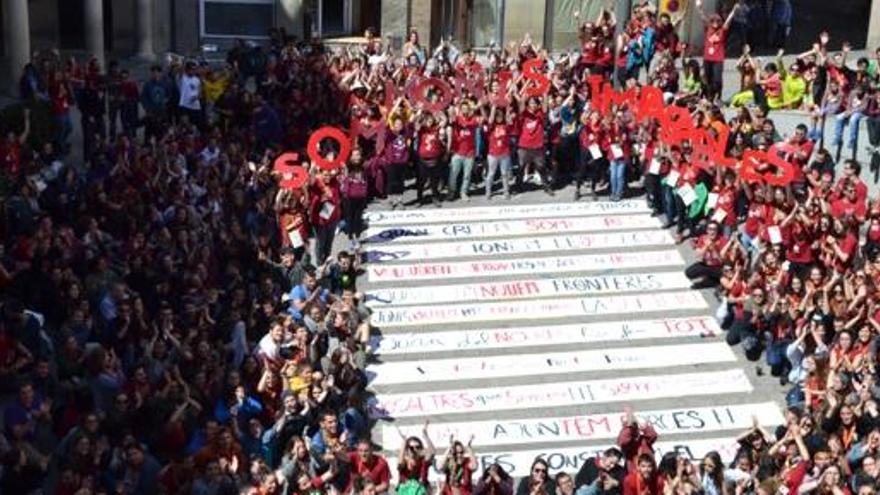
[(121, 28)]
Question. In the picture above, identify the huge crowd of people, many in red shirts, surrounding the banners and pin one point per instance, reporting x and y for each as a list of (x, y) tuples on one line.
[(174, 321)]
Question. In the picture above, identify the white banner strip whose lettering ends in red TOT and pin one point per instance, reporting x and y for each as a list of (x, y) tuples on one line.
[(504, 338)]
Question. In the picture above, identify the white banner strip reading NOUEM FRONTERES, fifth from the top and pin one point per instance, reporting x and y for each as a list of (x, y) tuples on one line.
[(529, 289)]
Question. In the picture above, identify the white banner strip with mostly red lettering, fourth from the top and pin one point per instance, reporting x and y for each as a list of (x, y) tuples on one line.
[(503, 267)]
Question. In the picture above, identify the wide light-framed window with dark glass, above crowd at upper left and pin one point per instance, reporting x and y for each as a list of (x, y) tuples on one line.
[(237, 18)]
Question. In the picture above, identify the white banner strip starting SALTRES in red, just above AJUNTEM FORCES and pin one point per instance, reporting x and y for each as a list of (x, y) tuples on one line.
[(557, 394)]
